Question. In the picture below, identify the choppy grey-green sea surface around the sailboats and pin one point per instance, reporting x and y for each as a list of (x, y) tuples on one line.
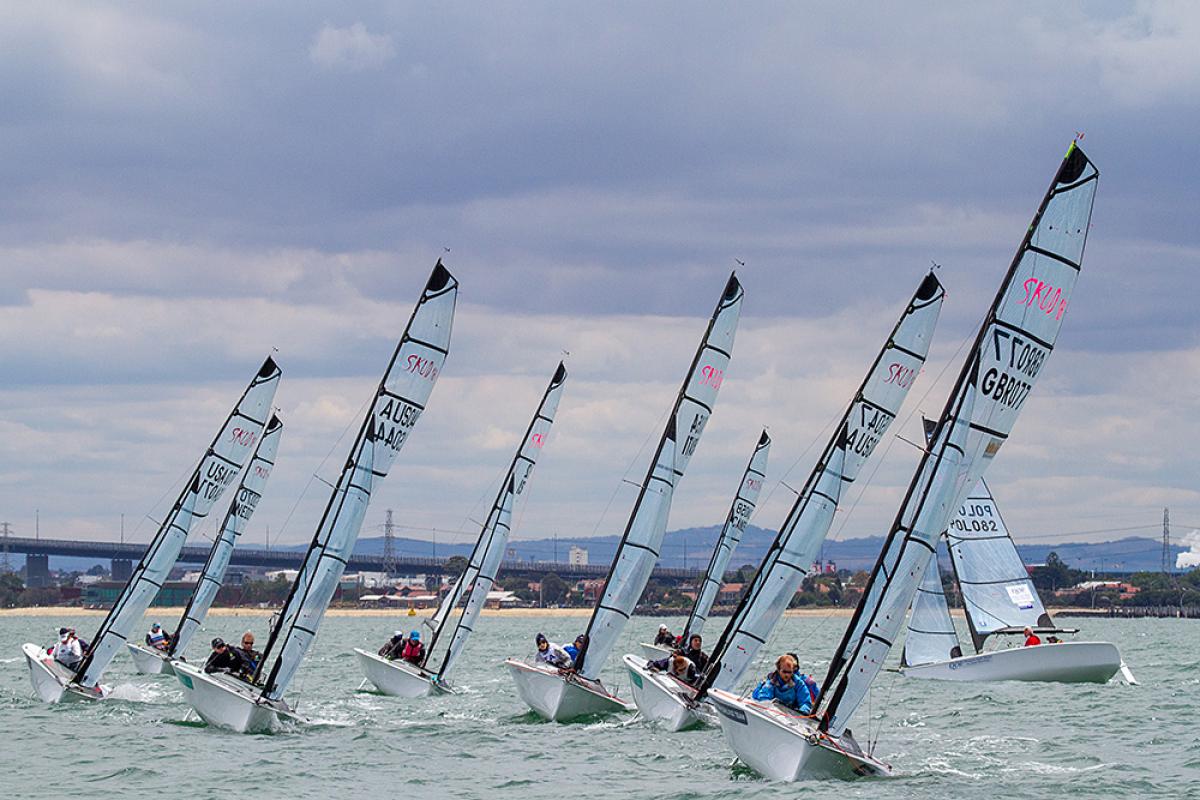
[(983, 742)]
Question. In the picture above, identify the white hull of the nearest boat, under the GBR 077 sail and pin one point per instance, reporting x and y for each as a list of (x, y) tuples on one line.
[(784, 747)]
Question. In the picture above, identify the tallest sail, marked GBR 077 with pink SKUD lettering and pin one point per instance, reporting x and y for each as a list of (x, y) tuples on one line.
[(1009, 357)]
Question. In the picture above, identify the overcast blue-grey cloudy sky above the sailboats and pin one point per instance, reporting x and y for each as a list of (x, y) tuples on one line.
[(184, 190)]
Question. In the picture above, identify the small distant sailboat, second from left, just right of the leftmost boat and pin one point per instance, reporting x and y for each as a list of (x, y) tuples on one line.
[(245, 501)]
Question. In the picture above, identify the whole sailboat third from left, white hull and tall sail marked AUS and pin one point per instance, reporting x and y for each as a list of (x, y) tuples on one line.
[(259, 705)]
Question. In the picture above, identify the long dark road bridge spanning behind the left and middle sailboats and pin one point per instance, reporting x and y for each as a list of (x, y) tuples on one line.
[(123, 556)]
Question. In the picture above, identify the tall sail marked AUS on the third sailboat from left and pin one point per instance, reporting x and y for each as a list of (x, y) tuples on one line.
[(400, 400)]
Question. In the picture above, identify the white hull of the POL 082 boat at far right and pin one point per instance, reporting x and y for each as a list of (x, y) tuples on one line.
[(1071, 663)]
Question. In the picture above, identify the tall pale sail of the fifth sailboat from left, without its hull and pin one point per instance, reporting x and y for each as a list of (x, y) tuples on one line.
[(640, 546)]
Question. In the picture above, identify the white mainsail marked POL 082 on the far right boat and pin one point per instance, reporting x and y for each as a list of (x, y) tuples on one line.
[(998, 592)]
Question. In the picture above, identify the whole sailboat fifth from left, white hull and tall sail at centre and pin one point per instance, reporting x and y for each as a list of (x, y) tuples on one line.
[(567, 695)]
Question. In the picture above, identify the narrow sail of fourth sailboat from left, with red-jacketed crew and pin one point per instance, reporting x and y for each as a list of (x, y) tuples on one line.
[(489, 552)]
